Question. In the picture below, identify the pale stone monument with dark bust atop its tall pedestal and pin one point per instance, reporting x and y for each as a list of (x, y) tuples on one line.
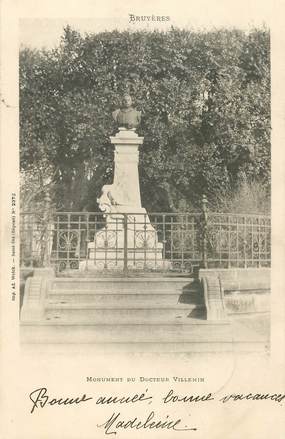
[(128, 234)]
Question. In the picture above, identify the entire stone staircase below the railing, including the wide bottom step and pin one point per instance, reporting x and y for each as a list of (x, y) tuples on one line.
[(147, 314)]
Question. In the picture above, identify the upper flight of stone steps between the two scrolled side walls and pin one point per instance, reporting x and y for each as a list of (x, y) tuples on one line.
[(146, 297)]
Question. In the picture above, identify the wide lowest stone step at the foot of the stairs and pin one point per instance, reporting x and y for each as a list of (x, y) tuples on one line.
[(160, 333)]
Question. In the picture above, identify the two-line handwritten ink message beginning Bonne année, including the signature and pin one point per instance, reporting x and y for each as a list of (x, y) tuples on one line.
[(116, 421)]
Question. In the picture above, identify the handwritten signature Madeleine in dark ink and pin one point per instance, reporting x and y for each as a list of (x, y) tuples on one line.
[(115, 422)]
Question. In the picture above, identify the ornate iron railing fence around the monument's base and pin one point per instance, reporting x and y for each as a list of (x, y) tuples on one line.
[(137, 241)]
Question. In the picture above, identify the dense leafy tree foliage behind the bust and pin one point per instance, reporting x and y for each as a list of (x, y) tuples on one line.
[(205, 102)]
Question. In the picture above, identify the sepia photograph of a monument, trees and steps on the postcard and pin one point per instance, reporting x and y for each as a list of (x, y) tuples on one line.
[(145, 186)]
